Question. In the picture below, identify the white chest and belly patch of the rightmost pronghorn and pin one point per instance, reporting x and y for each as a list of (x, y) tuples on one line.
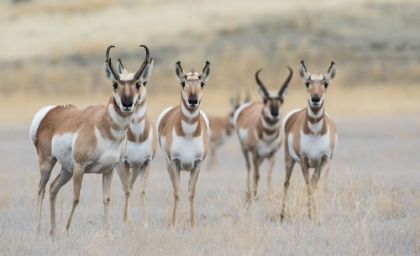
[(315, 147)]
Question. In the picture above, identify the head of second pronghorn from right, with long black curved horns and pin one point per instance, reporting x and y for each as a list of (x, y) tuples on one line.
[(274, 100)]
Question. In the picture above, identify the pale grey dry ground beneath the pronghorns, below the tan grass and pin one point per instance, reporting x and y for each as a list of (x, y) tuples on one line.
[(370, 204)]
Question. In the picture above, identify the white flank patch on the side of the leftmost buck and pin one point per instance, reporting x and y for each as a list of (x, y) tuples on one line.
[(62, 149)]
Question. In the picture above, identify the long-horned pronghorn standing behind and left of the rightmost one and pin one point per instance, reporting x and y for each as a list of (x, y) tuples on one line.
[(258, 129)]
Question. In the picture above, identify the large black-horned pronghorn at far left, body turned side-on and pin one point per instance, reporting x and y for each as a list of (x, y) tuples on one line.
[(91, 140)]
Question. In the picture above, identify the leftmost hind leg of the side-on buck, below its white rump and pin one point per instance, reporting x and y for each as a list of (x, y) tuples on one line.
[(45, 167)]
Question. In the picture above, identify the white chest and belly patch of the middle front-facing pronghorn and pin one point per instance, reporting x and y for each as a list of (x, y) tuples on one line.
[(187, 150)]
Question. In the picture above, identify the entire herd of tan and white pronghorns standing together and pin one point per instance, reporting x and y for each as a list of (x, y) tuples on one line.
[(122, 136)]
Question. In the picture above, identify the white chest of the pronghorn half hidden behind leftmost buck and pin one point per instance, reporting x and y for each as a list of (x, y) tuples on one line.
[(138, 153)]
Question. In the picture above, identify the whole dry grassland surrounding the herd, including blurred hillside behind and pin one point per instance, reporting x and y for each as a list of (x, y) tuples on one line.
[(53, 52)]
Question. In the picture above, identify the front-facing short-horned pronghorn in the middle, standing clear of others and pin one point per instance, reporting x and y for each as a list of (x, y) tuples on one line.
[(183, 133)]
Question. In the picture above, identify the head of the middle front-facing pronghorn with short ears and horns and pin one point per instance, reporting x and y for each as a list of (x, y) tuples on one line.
[(192, 84)]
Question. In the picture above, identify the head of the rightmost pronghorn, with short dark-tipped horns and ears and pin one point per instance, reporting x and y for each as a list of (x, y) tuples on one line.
[(316, 84)]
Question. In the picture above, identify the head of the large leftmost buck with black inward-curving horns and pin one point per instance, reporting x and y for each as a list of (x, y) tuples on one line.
[(129, 88)]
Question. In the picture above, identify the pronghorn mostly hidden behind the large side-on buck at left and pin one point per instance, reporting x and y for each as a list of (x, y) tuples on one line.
[(141, 148)]
